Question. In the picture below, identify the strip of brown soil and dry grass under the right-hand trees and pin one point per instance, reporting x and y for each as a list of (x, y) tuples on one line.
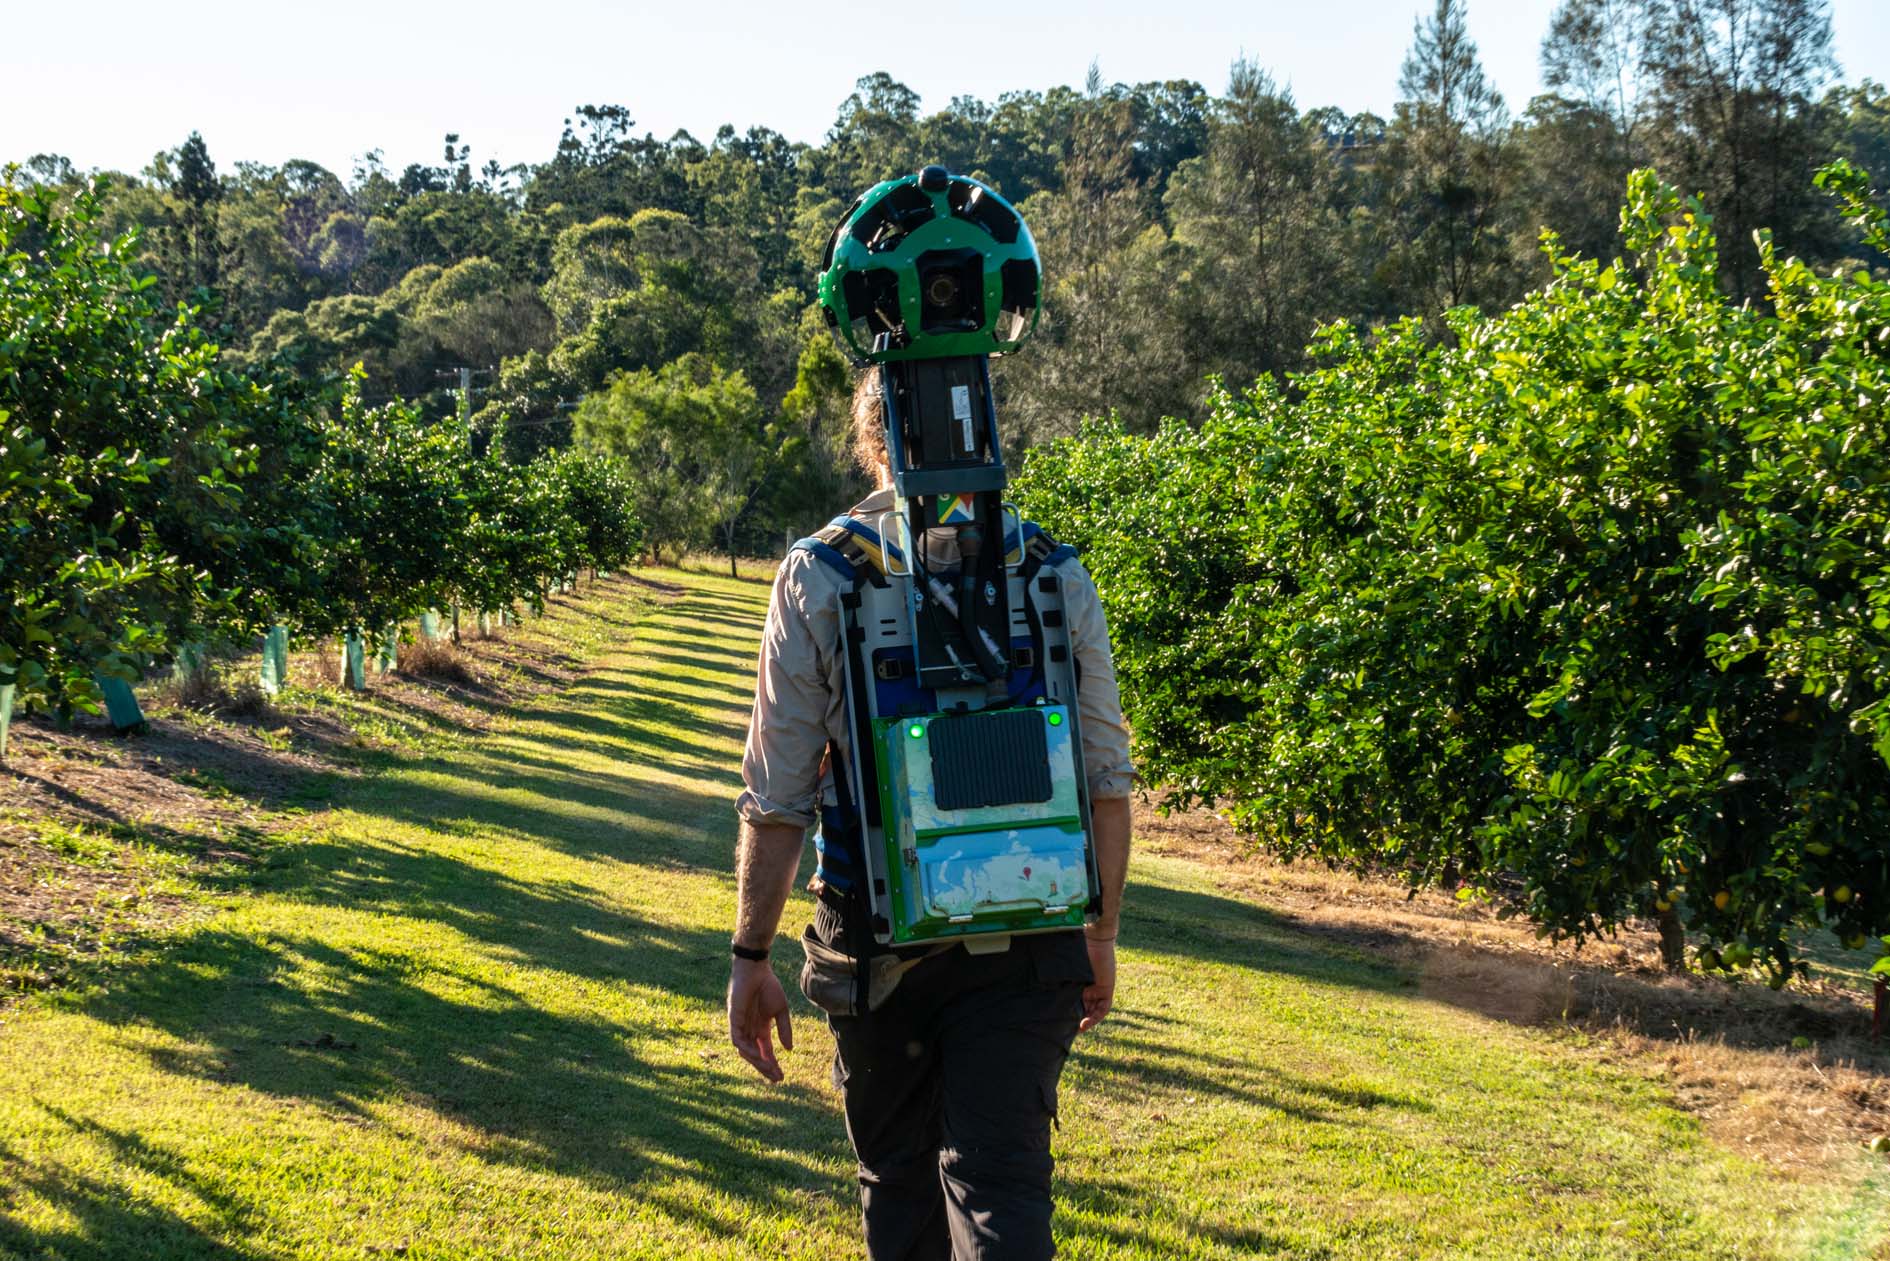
[(1787, 1077)]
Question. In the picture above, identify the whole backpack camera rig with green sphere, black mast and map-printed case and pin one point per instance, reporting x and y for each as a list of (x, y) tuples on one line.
[(961, 674)]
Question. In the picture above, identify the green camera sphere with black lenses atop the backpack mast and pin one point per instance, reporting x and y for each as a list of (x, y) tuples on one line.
[(931, 266)]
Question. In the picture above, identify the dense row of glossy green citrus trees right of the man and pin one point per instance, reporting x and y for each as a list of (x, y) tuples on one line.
[(1587, 606)]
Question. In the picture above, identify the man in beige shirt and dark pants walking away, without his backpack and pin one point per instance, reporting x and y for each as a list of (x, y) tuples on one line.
[(952, 1084)]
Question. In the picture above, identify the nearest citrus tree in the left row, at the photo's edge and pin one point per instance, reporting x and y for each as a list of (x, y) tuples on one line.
[(92, 373)]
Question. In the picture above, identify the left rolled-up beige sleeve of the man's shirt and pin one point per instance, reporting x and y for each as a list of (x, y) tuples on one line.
[(793, 699)]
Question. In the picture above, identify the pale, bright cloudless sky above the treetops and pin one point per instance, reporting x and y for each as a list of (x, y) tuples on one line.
[(111, 84)]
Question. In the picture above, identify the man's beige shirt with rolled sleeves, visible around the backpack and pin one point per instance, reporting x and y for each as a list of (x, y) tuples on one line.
[(800, 689)]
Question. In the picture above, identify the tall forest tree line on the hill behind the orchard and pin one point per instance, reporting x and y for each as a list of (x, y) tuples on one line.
[(655, 298)]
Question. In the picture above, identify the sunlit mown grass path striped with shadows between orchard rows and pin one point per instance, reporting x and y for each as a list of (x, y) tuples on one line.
[(477, 1014)]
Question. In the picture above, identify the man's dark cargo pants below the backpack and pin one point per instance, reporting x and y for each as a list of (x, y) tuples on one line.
[(952, 1092)]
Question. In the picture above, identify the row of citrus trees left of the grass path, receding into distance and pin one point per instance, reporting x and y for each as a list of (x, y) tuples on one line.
[(154, 496)]
